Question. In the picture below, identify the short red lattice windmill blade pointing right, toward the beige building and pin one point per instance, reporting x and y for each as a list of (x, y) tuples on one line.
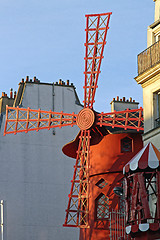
[(128, 119)]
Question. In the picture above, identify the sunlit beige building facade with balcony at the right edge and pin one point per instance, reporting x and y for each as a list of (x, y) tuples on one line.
[(149, 78)]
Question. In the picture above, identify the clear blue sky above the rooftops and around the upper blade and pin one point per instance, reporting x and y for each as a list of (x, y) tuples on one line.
[(46, 39)]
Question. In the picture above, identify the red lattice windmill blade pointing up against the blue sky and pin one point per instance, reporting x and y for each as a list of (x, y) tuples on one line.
[(96, 31)]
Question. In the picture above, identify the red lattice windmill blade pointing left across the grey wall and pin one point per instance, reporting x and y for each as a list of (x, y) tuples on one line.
[(25, 120)]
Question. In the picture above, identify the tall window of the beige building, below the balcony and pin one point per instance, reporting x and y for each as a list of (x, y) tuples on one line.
[(157, 108)]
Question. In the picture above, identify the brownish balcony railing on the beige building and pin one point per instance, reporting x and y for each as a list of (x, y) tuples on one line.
[(149, 57)]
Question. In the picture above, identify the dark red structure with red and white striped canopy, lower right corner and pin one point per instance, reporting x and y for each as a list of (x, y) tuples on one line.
[(142, 194)]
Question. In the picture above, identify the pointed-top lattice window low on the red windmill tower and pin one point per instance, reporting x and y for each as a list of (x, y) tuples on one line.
[(102, 207)]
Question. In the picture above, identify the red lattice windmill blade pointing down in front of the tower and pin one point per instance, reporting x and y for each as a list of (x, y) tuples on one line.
[(78, 204)]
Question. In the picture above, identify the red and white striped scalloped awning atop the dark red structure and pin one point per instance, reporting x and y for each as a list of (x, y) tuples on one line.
[(149, 156)]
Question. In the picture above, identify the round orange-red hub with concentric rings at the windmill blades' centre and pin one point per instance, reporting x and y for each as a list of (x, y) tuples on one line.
[(85, 119)]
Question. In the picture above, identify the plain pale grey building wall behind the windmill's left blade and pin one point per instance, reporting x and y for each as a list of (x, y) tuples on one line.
[(34, 174)]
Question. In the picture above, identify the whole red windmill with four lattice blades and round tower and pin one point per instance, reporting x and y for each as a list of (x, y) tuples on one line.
[(105, 143)]
